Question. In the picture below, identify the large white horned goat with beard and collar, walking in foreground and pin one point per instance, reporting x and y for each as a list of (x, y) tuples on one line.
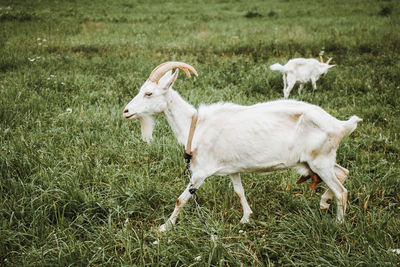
[(230, 139)]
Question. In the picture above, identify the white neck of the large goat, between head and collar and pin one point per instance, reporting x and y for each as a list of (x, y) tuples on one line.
[(179, 115)]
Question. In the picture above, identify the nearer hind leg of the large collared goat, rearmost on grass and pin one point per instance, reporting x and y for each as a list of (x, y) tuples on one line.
[(327, 174)]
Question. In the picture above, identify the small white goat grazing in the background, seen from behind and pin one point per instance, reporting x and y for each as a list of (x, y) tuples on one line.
[(301, 70)]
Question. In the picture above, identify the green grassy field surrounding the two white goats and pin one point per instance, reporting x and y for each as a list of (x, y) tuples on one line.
[(80, 187)]
